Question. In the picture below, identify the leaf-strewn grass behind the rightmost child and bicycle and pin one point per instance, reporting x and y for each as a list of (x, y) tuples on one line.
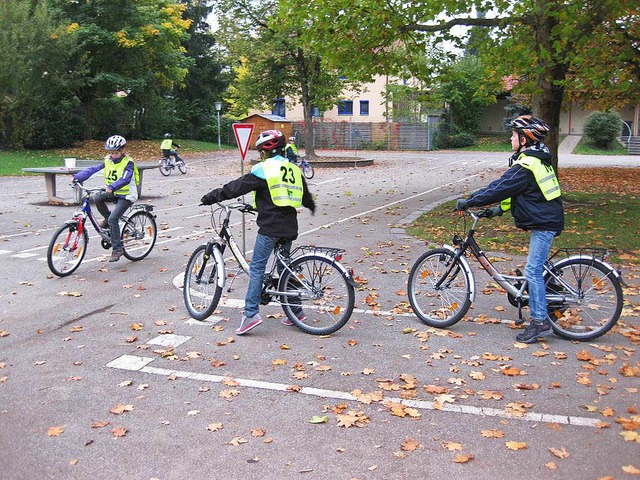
[(597, 220)]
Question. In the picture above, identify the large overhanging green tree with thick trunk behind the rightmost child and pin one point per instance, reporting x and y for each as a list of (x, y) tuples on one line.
[(557, 48)]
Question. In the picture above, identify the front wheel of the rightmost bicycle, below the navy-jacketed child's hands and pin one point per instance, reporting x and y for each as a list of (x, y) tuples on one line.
[(449, 304)]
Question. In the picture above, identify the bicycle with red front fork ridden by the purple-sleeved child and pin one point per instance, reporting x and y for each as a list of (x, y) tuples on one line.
[(68, 245)]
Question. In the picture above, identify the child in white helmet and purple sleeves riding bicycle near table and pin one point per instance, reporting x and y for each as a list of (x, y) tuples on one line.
[(121, 178)]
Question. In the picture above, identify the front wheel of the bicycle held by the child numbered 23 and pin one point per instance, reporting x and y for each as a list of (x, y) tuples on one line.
[(201, 296)]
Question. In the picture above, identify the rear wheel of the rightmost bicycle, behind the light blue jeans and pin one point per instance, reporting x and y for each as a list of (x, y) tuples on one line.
[(593, 303)]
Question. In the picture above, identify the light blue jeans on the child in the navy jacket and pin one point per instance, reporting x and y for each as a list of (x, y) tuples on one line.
[(539, 246)]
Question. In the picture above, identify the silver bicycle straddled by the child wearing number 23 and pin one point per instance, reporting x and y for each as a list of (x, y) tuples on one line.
[(310, 278)]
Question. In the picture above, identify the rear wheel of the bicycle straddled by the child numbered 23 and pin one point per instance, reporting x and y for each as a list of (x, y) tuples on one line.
[(319, 298)]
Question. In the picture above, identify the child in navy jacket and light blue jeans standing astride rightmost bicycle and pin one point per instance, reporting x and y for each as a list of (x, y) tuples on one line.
[(530, 189)]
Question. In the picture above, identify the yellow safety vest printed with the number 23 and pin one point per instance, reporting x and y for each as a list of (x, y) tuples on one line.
[(285, 182)]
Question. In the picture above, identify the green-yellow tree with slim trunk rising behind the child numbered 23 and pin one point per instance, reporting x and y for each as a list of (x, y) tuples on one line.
[(274, 63)]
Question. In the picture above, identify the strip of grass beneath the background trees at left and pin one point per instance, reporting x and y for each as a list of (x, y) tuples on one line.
[(12, 162)]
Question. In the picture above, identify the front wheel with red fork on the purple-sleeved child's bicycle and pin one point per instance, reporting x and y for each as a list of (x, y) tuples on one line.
[(67, 249)]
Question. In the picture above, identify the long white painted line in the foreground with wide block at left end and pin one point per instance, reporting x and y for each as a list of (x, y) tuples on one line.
[(141, 364)]
